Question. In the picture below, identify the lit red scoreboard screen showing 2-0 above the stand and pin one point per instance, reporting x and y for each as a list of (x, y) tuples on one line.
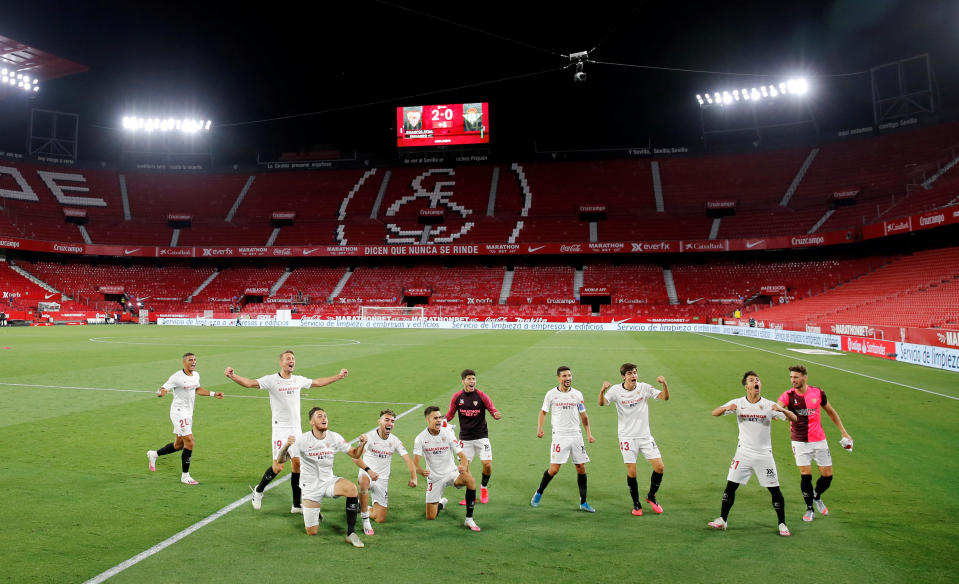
[(442, 125)]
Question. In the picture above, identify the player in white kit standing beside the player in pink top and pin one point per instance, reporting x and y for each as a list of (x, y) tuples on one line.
[(754, 454)]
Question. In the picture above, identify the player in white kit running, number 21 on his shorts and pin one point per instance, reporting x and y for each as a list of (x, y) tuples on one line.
[(185, 385)]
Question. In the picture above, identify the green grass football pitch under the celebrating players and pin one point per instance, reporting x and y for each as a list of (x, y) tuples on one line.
[(78, 498)]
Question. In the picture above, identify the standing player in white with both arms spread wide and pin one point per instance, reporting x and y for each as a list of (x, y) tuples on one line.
[(284, 389)]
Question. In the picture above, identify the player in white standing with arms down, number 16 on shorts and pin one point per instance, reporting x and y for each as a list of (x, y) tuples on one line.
[(567, 410)]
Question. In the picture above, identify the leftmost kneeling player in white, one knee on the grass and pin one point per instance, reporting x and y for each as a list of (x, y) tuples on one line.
[(316, 449)]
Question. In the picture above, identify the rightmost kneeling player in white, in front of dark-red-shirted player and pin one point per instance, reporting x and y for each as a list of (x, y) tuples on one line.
[(436, 444)]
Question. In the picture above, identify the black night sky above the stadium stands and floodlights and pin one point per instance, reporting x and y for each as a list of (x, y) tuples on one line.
[(270, 60)]
